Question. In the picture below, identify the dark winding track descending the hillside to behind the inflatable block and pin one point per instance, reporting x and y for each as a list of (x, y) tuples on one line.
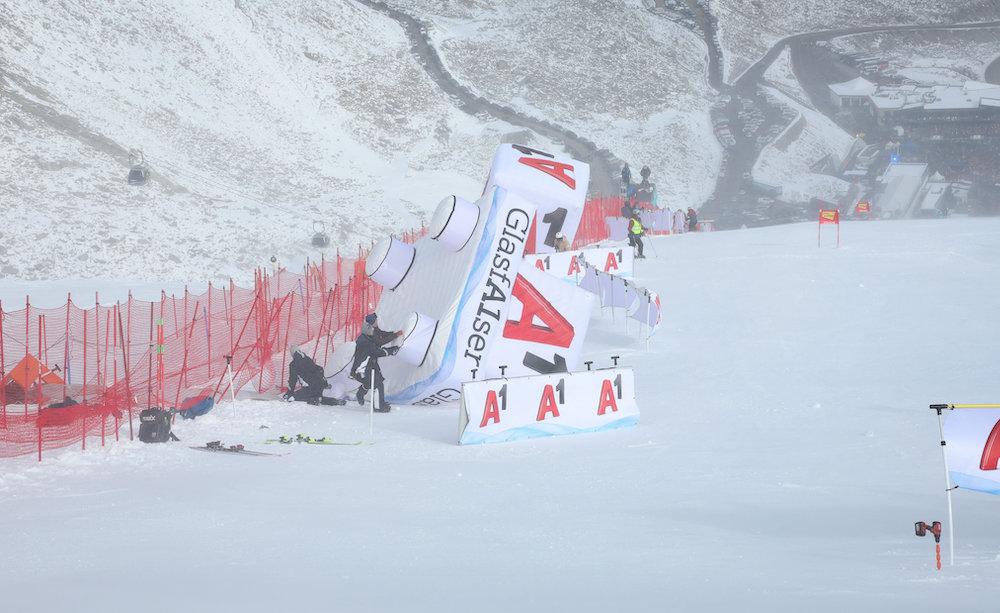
[(604, 166)]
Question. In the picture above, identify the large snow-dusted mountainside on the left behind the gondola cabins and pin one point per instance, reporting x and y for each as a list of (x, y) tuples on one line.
[(255, 119)]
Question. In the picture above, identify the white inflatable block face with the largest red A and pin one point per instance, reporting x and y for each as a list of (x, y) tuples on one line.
[(546, 325)]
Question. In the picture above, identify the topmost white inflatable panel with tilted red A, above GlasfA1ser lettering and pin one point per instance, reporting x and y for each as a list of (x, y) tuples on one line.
[(556, 185)]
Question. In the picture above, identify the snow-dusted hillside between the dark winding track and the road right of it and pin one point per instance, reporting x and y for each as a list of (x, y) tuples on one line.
[(629, 80)]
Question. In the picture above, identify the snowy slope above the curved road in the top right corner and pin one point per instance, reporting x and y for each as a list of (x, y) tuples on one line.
[(748, 28)]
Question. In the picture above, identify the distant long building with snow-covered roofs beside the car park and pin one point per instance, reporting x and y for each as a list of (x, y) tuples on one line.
[(928, 112)]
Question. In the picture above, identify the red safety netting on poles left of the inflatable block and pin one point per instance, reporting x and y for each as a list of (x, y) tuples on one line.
[(114, 360)]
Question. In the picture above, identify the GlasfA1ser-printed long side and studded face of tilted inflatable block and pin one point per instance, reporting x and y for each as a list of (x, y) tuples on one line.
[(464, 293)]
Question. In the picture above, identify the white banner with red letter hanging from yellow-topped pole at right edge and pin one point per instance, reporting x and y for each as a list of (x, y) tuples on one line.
[(973, 449)]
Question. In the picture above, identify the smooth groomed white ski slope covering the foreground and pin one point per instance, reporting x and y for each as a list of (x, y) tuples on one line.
[(783, 453)]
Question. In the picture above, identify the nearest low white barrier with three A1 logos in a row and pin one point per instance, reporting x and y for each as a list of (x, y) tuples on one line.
[(511, 409)]
